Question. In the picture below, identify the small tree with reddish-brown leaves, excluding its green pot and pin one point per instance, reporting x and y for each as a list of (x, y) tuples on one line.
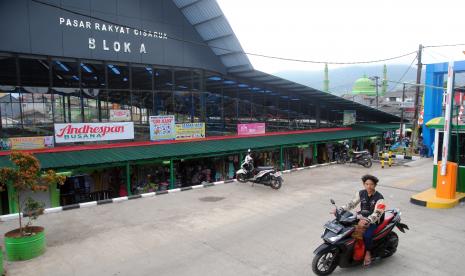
[(27, 176)]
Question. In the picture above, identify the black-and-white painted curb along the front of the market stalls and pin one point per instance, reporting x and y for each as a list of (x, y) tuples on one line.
[(152, 194)]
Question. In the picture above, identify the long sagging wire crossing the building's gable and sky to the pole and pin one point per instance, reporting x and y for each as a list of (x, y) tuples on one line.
[(224, 49)]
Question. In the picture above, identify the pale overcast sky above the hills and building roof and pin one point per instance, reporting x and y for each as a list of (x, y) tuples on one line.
[(342, 30)]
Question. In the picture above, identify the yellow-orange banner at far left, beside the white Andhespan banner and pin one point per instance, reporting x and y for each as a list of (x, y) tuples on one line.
[(26, 143)]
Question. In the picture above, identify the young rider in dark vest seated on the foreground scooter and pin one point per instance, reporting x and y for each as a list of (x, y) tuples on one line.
[(371, 214)]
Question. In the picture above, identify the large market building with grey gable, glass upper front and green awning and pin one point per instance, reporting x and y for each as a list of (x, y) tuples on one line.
[(126, 97)]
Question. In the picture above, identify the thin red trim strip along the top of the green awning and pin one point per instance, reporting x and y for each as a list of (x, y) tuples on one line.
[(149, 143)]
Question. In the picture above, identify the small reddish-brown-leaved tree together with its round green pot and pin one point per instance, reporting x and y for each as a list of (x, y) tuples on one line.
[(27, 241)]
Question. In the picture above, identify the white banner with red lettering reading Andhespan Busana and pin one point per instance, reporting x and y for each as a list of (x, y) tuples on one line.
[(87, 132)]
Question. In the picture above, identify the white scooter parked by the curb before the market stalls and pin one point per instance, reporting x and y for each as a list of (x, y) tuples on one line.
[(267, 176)]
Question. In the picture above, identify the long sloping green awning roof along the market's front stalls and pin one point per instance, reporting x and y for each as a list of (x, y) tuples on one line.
[(108, 156)]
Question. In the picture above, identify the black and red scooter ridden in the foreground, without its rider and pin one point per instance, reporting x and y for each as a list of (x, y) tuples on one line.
[(338, 246)]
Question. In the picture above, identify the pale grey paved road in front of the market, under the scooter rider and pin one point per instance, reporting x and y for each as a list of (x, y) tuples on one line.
[(239, 229)]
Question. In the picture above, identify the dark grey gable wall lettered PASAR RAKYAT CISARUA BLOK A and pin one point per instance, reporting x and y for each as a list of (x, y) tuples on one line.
[(107, 35)]
